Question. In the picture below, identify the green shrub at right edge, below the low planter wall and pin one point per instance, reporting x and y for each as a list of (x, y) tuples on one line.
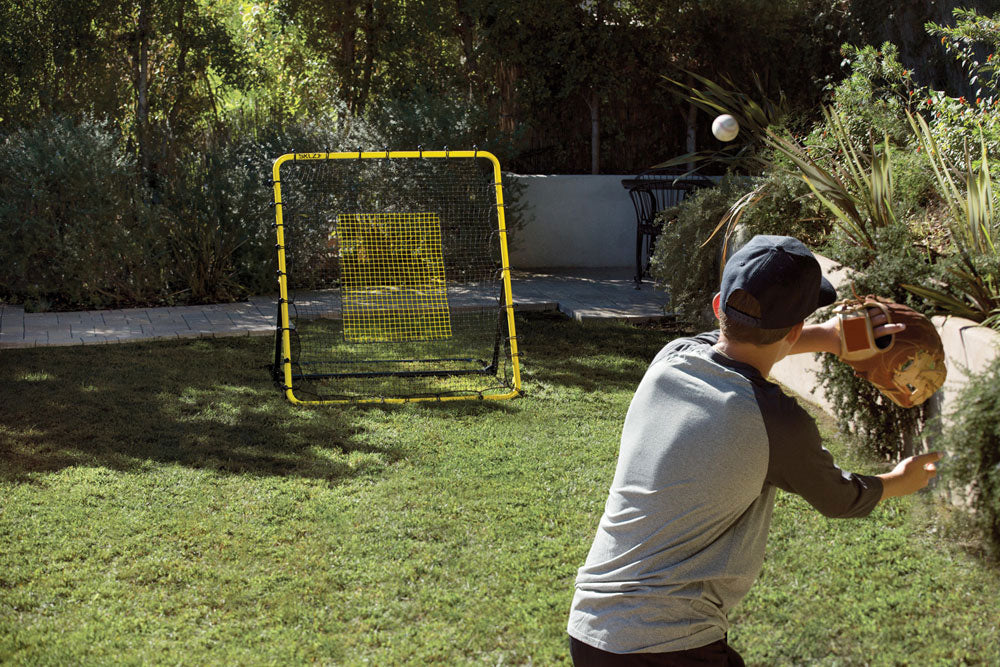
[(973, 444)]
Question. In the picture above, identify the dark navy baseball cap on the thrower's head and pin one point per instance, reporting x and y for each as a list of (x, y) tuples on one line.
[(784, 277)]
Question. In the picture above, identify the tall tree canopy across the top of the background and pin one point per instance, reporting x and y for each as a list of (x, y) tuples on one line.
[(564, 86)]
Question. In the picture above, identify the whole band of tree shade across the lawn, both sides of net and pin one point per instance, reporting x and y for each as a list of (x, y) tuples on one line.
[(210, 403)]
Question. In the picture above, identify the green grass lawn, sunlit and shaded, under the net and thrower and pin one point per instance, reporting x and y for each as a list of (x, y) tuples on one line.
[(161, 503)]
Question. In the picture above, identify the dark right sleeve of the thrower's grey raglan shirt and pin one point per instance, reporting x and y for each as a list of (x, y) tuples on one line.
[(799, 463)]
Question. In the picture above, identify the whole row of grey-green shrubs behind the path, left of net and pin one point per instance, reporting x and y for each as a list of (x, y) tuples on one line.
[(82, 233)]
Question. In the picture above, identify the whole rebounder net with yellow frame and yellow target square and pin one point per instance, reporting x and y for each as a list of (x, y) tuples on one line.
[(394, 278)]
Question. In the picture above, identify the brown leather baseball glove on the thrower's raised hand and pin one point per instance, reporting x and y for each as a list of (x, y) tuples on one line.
[(907, 367)]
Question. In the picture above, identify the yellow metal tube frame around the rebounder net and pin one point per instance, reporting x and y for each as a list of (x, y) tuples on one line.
[(286, 343)]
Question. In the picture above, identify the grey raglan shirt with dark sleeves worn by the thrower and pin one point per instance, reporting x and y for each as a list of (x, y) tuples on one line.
[(705, 444)]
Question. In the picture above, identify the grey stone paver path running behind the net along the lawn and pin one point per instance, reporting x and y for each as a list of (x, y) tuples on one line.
[(582, 294)]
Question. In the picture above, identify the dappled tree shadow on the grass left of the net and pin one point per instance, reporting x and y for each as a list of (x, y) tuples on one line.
[(202, 404)]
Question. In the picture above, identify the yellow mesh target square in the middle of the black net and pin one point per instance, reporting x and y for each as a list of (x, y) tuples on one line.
[(392, 277)]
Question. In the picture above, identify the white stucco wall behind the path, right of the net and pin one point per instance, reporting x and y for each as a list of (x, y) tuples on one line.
[(574, 221)]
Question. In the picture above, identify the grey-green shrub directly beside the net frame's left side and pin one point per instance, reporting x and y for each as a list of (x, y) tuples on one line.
[(215, 205)]
